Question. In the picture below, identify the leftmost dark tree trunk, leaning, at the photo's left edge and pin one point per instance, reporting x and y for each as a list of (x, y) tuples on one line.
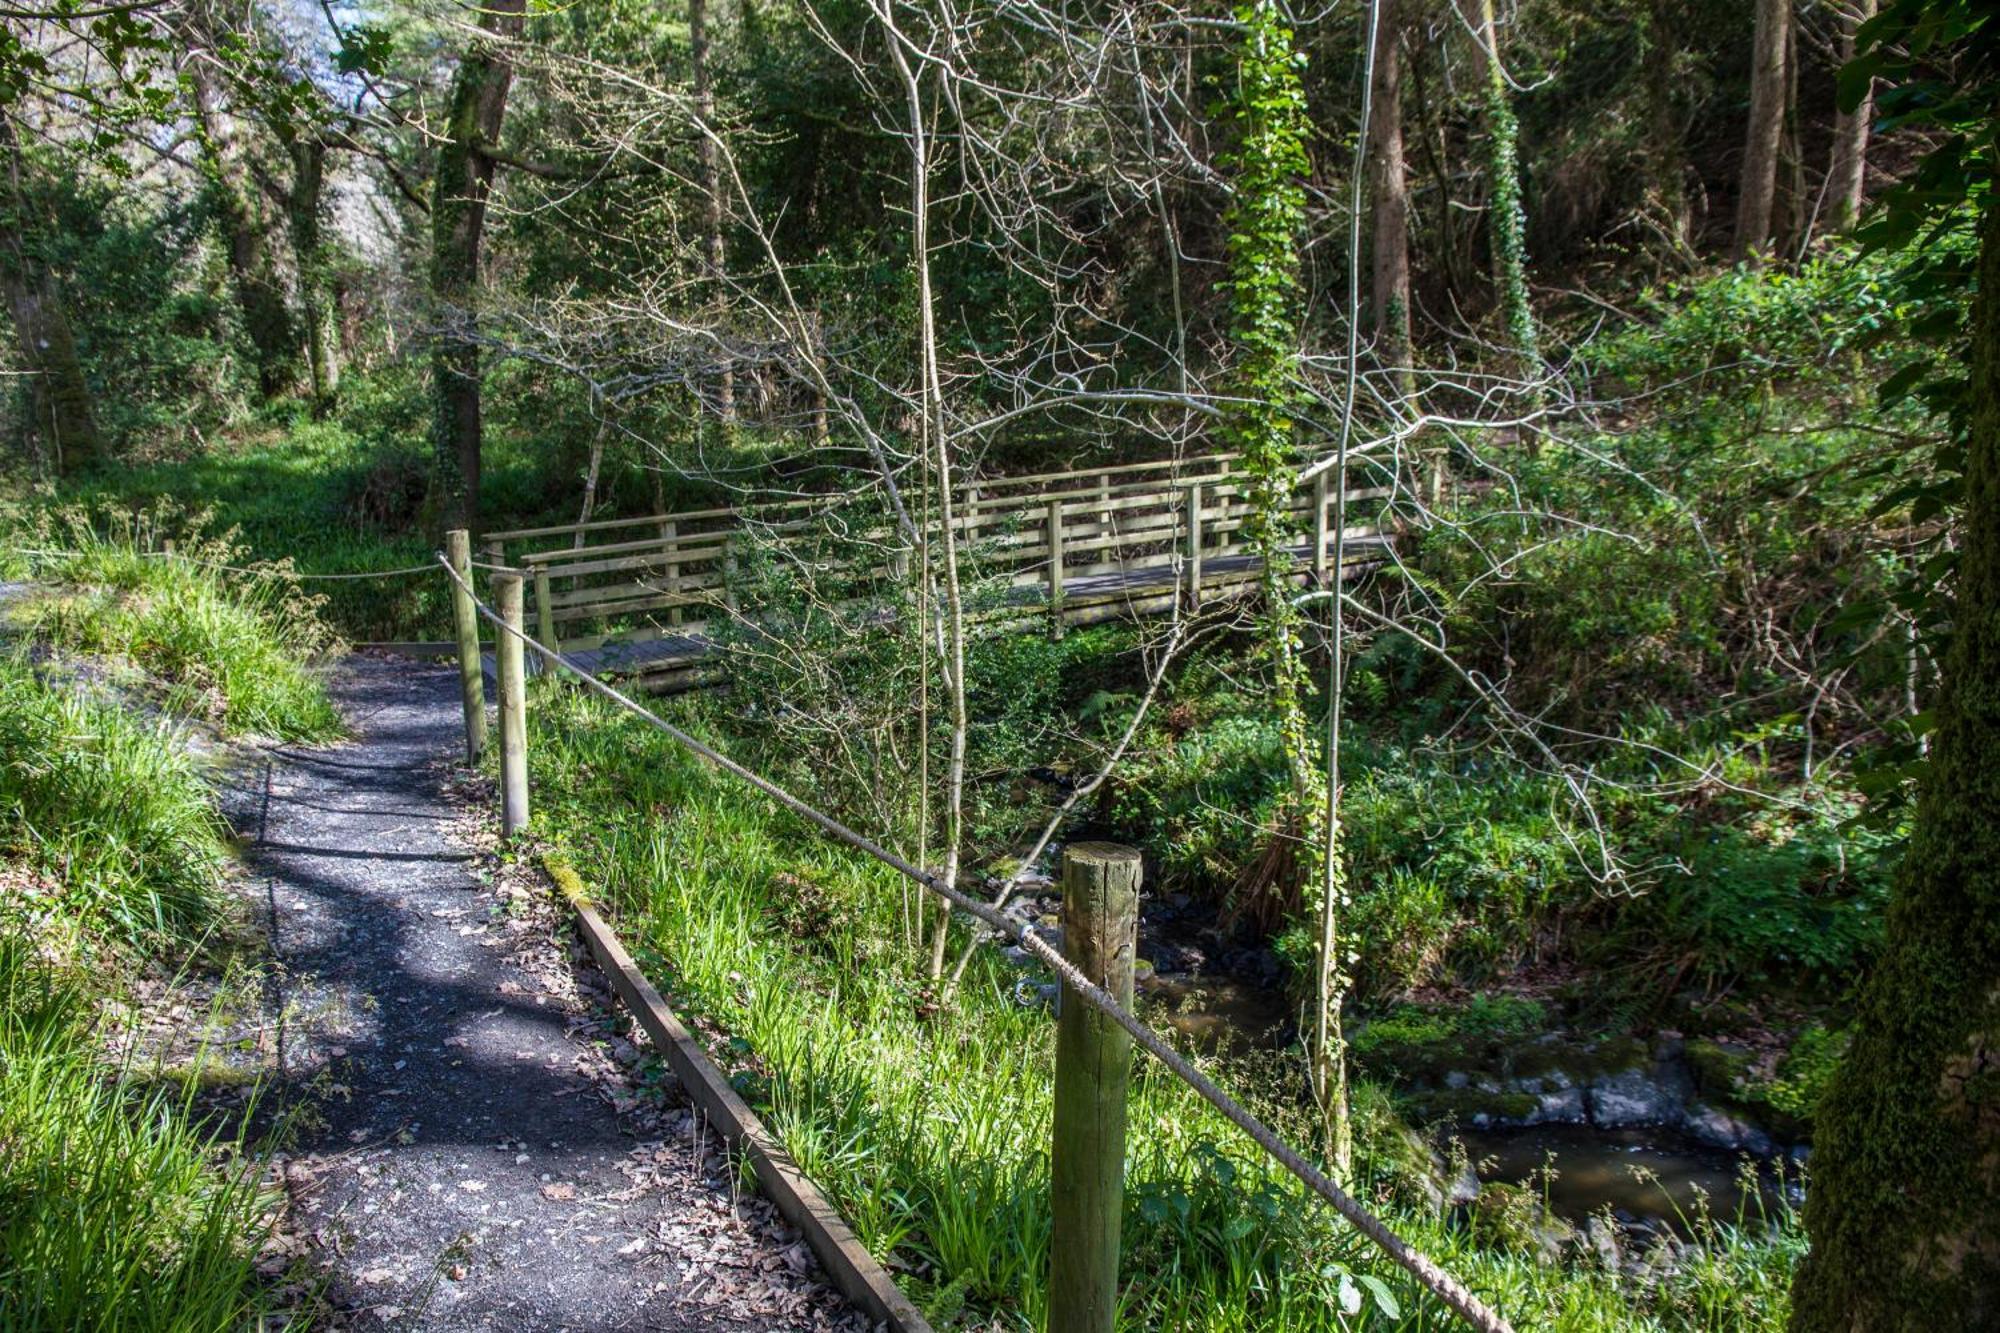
[(59, 393)]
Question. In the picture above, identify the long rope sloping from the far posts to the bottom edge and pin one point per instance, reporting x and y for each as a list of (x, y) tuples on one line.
[(1425, 1270)]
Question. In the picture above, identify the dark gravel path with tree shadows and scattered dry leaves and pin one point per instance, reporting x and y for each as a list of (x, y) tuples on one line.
[(471, 1144)]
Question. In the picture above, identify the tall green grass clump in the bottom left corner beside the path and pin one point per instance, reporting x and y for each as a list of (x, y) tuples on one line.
[(117, 1208)]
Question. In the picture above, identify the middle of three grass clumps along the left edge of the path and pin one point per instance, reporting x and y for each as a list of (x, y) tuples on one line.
[(109, 808)]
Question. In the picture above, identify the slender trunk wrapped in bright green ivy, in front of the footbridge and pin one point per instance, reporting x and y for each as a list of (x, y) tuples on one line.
[(1265, 221)]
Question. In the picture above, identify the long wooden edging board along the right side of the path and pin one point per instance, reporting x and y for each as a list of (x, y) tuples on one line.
[(843, 1256)]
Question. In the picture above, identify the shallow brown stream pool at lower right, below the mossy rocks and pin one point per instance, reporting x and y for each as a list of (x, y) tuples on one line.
[(1639, 1174)]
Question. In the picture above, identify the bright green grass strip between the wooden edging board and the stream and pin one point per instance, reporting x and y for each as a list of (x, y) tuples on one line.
[(931, 1132)]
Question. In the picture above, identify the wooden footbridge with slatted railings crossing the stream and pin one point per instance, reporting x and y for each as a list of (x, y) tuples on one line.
[(649, 597)]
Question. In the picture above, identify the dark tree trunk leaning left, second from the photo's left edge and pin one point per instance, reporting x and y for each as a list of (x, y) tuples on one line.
[(241, 215)]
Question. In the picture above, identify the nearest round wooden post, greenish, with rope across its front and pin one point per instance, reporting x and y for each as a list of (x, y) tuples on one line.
[(1093, 1066)]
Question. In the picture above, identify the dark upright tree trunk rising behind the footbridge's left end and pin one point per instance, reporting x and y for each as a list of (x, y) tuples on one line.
[(457, 225)]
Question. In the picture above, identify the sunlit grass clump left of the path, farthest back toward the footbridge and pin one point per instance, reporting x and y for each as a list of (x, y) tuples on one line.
[(227, 647)]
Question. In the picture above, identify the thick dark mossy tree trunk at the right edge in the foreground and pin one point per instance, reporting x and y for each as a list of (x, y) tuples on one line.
[(1905, 1202)]
